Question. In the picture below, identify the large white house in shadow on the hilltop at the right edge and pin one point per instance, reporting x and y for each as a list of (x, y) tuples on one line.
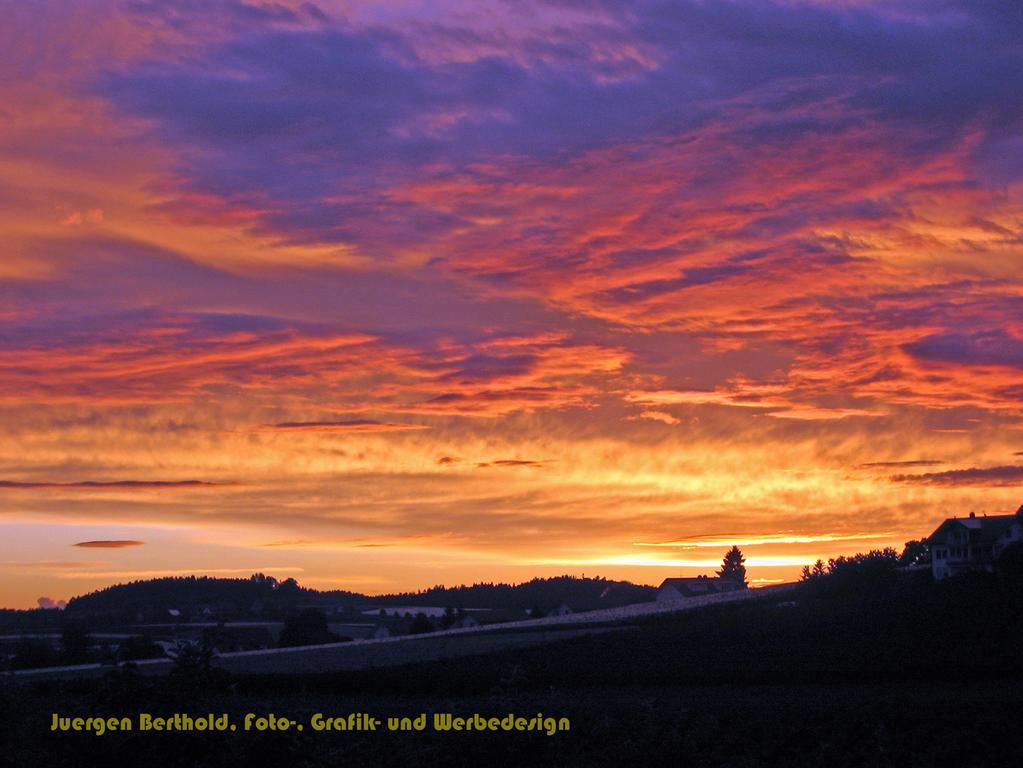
[(972, 544)]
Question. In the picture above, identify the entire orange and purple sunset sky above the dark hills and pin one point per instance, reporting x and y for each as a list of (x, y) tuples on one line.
[(384, 295)]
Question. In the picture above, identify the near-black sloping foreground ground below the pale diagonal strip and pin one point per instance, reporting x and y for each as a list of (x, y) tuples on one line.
[(874, 669)]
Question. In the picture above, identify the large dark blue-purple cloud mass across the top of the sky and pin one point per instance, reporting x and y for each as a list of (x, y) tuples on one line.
[(313, 125)]
